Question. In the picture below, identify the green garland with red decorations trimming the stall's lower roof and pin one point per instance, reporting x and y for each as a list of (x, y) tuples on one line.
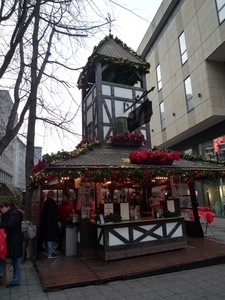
[(120, 174)]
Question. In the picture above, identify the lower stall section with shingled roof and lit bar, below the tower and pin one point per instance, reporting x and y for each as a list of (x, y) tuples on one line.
[(136, 208)]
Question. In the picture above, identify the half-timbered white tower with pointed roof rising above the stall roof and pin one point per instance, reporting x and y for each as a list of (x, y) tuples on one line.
[(113, 79)]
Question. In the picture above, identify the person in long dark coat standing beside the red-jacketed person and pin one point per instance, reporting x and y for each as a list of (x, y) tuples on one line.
[(50, 224)]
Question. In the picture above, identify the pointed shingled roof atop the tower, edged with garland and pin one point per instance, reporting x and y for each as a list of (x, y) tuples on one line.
[(113, 50)]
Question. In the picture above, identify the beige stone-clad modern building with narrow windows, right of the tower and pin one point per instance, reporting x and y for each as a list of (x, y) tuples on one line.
[(185, 45)]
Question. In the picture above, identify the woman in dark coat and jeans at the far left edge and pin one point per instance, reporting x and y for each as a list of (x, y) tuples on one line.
[(11, 221)]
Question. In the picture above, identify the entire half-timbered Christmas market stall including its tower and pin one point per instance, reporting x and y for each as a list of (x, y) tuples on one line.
[(129, 199)]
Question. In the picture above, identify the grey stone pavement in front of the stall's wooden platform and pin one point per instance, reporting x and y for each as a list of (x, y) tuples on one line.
[(202, 283)]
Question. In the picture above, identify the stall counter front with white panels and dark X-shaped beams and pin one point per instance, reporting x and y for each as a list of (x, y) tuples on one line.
[(140, 237)]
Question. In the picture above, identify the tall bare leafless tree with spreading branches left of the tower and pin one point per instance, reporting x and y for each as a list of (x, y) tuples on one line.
[(44, 39)]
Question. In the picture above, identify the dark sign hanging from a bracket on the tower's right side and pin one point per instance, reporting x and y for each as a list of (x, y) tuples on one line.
[(139, 116)]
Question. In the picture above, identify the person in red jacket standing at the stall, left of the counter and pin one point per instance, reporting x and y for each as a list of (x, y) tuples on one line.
[(65, 209)]
